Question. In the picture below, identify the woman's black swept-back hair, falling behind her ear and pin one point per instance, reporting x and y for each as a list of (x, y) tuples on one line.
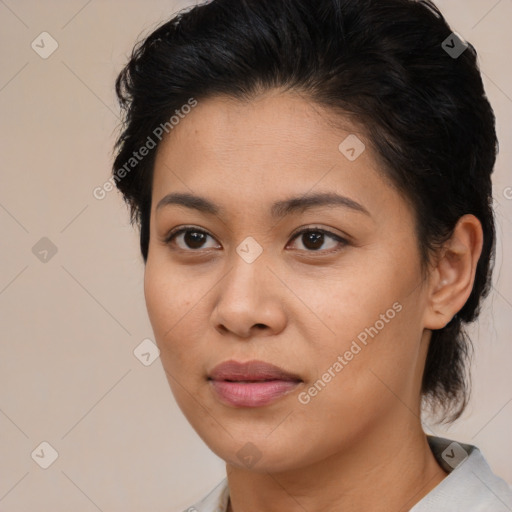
[(385, 64)]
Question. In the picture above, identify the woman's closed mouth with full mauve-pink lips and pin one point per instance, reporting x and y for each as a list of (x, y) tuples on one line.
[(251, 384)]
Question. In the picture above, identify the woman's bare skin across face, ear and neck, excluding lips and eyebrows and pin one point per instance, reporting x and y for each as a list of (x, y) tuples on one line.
[(358, 444)]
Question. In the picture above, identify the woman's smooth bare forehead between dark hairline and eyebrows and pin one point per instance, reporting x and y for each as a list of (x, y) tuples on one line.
[(278, 145)]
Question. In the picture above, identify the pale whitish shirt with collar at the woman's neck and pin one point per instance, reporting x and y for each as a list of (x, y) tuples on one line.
[(470, 486)]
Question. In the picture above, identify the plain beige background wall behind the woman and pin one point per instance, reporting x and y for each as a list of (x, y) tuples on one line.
[(68, 373)]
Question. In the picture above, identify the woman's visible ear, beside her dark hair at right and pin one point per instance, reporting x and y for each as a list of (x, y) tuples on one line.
[(451, 280)]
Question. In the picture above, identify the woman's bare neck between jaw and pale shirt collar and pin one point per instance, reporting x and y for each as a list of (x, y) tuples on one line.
[(382, 473)]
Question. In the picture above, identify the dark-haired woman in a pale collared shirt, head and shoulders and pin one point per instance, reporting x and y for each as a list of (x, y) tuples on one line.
[(312, 183)]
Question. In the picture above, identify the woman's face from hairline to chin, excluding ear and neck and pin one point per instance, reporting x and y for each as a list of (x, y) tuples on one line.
[(340, 307)]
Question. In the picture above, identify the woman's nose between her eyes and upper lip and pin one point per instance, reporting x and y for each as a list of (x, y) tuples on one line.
[(249, 301)]
